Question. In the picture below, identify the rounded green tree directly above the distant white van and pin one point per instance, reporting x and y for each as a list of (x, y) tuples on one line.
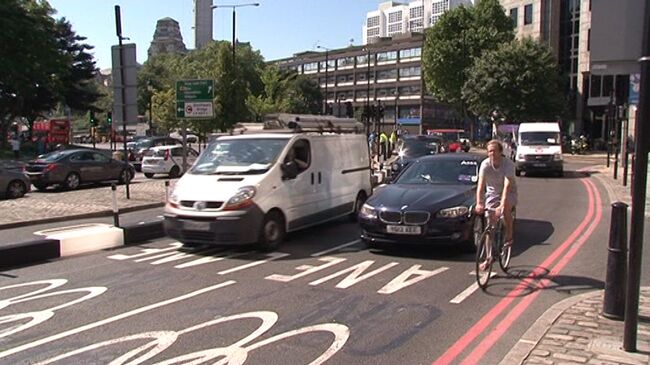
[(520, 78)]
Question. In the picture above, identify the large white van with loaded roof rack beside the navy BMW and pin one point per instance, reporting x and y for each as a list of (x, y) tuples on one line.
[(253, 188)]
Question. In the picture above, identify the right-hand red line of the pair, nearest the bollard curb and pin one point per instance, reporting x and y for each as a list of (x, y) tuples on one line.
[(491, 338)]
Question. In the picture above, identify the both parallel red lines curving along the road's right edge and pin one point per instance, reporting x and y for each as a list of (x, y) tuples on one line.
[(571, 245)]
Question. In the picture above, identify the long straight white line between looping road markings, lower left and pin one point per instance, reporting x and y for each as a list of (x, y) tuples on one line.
[(118, 317)]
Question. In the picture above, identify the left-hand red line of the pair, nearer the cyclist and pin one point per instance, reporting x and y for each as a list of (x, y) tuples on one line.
[(462, 343)]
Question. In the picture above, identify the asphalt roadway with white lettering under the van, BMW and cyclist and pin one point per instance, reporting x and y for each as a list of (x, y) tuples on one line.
[(323, 296)]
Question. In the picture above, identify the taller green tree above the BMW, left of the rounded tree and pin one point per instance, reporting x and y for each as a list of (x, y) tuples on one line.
[(457, 39)]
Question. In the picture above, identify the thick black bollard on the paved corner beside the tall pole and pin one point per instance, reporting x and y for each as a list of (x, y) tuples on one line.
[(615, 282)]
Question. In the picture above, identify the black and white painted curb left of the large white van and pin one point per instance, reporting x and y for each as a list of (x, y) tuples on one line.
[(32, 252)]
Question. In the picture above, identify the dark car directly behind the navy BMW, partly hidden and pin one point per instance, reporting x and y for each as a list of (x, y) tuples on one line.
[(410, 147)]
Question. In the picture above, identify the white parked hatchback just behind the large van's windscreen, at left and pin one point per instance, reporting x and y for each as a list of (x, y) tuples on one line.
[(167, 160)]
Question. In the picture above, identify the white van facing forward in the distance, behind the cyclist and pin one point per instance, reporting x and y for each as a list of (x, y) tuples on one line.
[(539, 148)]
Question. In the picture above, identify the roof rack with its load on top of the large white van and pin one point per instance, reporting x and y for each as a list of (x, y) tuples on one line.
[(312, 123)]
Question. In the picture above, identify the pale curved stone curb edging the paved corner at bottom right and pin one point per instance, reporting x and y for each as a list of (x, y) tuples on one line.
[(520, 351)]
